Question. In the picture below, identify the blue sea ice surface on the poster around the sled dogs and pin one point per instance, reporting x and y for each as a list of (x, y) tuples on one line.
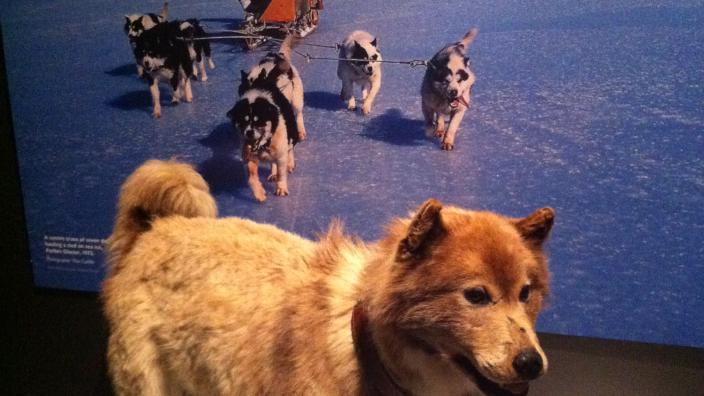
[(593, 108)]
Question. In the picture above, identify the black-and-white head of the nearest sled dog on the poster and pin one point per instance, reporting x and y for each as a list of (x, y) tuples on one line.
[(256, 117)]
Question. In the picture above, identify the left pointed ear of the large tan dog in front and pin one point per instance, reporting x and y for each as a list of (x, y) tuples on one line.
[(425, 227)]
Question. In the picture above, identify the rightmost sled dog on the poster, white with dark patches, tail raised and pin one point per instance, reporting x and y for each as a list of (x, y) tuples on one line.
[(446, 90)]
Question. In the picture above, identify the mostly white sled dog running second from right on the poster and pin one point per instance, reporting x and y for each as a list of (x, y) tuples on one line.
[(366, 72)]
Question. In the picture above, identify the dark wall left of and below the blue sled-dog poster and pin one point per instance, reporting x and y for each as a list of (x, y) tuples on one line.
[(53, 342)]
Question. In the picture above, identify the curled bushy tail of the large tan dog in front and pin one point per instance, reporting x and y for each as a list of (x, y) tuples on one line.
[(156, 189)]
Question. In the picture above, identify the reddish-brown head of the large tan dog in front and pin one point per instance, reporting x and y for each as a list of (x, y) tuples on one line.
[(467, 287)]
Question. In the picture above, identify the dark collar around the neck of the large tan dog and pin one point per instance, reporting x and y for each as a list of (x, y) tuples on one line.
[(376, 380)]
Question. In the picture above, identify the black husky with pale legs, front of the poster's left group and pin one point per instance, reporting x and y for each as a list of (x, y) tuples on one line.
[(164, 56)]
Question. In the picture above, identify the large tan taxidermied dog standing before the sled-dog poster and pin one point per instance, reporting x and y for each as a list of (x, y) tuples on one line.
[(444, 304)]
